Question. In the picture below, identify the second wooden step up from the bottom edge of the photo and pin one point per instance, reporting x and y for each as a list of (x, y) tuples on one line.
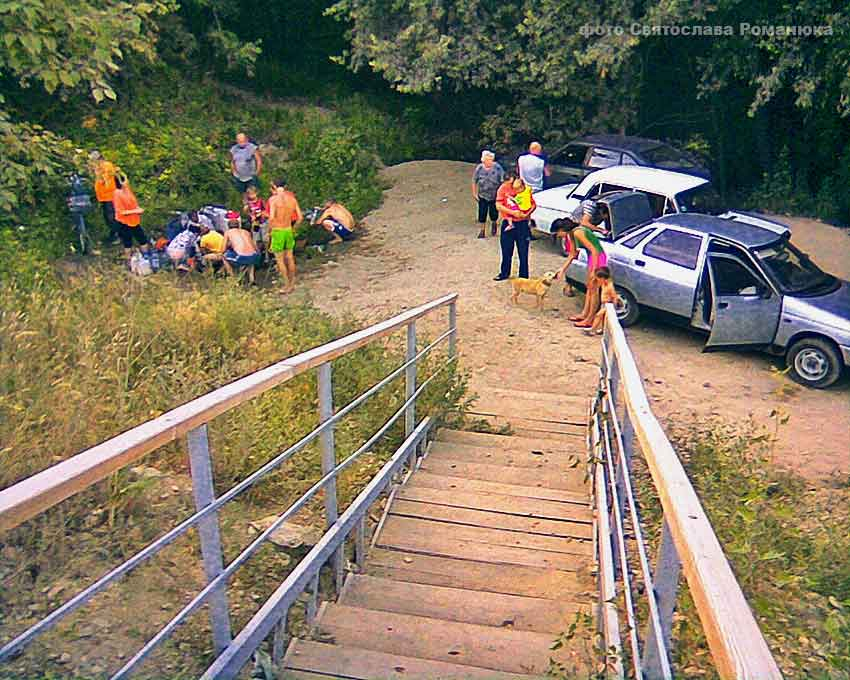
[(467, 644)]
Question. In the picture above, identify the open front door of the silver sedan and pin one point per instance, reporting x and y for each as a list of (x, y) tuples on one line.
[(745, 308)]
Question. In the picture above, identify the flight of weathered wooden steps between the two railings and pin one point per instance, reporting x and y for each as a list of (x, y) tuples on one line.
[(482, 559)]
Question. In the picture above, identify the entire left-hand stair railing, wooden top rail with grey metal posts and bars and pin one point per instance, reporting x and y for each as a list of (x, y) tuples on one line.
[(38, 493)]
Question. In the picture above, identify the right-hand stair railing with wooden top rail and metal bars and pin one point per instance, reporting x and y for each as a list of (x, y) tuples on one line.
[(688, 541)]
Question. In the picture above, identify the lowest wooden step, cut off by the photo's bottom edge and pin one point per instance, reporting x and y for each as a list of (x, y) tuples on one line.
[(307, 660)]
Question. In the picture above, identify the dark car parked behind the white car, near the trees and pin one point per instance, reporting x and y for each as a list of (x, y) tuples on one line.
[(586, 154)]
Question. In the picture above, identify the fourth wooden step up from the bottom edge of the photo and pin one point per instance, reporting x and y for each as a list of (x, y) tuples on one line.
[(461, 572)]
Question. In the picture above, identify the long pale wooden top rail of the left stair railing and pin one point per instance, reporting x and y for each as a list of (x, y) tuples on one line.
[(47, 488)]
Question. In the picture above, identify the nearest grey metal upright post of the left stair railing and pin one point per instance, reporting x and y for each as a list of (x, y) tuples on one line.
[(203, 491)]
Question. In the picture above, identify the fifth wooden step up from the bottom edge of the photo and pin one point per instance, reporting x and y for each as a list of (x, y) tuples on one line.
[(438, 538)]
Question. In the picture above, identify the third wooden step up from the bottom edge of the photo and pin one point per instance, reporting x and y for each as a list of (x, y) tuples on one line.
[(465, 606)]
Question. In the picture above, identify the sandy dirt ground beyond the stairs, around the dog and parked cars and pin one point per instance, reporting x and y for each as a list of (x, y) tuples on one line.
[(421, 244)]
